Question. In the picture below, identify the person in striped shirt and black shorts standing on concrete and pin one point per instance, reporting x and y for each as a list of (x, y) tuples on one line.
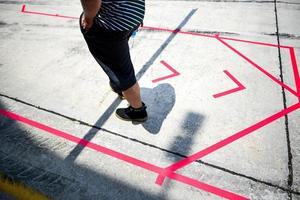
[(107, 26)]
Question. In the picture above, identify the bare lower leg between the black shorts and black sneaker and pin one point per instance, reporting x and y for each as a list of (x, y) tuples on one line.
[(133, 96)]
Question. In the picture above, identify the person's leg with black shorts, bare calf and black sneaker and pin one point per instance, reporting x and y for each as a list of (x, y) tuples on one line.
[(110, 49)]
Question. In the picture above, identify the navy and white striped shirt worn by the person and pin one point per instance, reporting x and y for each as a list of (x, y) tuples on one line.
[(120, 15)]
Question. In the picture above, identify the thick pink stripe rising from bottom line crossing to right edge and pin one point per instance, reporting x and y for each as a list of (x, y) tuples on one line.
[(224, 142)]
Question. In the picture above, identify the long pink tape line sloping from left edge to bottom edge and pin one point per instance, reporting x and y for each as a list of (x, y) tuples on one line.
[(123, 157)]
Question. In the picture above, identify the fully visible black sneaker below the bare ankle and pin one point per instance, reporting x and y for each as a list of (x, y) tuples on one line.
[(132, 114)]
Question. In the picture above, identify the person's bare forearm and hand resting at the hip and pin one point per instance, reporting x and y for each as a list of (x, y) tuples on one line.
[(90, 10)]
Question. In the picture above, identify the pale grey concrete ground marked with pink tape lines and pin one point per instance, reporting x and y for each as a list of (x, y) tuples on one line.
[(47, 75)]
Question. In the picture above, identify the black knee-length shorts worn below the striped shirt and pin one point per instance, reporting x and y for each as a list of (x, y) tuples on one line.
[(111, 51)]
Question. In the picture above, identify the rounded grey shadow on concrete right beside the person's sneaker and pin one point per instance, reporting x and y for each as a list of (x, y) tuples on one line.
[(160, 101)]
